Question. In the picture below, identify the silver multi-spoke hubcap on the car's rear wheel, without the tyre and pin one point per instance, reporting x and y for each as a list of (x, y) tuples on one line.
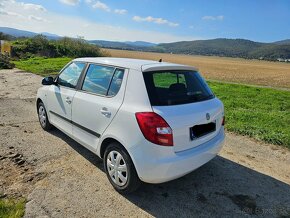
[(117, 168)]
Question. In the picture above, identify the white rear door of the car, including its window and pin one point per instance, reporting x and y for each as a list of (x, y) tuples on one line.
[(96, 103)]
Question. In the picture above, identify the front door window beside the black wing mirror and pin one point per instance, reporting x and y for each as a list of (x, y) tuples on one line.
[(70, 75)]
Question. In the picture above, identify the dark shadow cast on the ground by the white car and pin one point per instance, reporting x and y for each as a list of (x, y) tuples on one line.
[(220, 188)]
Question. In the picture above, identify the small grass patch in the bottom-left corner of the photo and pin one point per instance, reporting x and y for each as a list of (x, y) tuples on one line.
[(12, 208)]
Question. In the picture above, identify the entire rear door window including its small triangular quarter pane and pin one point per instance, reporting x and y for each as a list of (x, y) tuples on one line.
[(103, 80)]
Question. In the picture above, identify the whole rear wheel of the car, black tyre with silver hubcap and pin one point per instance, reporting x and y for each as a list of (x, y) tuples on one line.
[(127, 179)]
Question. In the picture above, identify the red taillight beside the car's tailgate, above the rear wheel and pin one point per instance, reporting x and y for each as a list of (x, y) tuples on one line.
[(154, 128)]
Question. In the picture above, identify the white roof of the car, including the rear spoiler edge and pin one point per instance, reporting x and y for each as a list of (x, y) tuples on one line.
[(137, 64)]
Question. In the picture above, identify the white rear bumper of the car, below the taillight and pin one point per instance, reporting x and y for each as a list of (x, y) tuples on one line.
[(162, 164)]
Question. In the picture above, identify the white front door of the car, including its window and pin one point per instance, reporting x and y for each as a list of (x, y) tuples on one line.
[(60, 96)]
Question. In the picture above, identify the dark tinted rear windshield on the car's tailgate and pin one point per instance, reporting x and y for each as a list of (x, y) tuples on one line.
[(176, 87)]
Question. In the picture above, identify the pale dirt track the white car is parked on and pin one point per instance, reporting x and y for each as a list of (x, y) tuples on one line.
[(60, 178)]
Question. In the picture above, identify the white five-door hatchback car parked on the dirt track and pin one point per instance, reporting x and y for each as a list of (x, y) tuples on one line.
[(149, 121)]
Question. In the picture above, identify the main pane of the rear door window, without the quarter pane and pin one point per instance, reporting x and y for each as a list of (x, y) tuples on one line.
[(98, 79)]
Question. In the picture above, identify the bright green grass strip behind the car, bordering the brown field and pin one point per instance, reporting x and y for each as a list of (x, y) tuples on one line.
[(260, 113)]
